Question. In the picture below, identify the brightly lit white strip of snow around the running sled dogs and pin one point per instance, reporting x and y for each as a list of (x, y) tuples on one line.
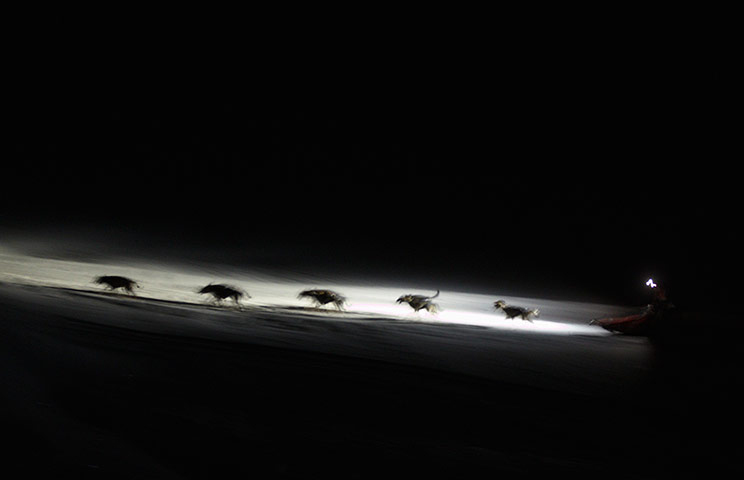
[(168, 283)]
